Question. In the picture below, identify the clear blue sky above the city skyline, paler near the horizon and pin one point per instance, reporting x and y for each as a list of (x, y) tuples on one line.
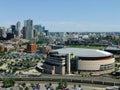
[(63, 15)]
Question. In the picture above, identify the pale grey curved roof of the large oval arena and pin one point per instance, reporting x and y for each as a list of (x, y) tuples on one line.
[(82, 52)]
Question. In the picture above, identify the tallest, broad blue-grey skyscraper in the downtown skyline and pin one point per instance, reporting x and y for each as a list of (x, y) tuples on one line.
[(28, 24)]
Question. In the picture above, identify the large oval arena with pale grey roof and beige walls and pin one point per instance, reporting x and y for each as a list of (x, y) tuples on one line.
[(71, 60)]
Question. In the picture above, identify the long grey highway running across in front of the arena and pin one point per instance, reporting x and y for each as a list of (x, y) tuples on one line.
[(72, 78)]
